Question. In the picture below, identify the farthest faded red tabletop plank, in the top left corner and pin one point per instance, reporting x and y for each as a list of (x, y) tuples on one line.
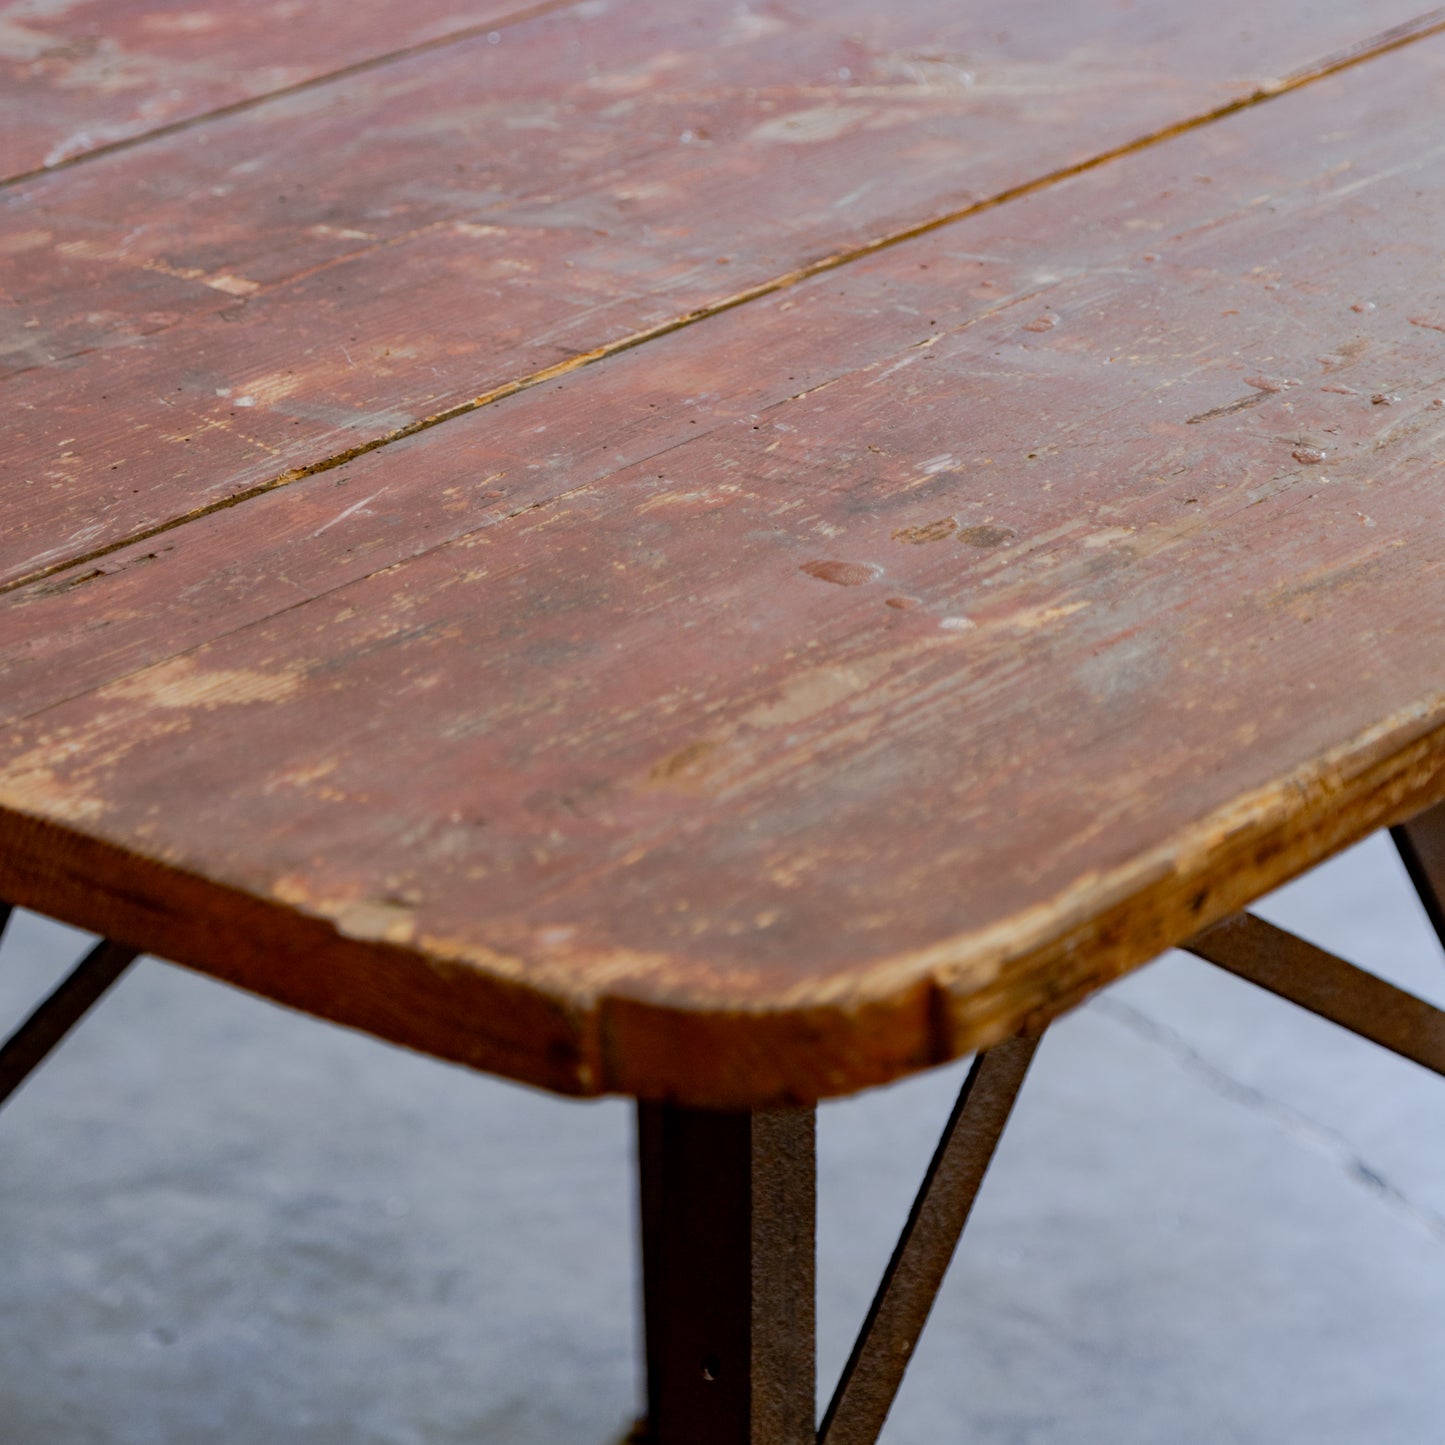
[(85, 76)]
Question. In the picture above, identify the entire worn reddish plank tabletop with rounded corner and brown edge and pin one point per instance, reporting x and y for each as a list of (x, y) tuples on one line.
[(710, 551)]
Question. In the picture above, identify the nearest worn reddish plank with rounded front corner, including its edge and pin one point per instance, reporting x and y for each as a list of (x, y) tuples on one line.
[(618, 788)]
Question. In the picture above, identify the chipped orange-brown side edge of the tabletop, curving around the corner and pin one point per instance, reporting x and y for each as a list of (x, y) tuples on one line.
[(868, 1028)]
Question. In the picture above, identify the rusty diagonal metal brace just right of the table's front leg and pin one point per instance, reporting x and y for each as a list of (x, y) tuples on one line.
[(901, 1308)]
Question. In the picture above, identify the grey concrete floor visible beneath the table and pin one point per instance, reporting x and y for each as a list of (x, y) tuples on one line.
[(1213, 1220)]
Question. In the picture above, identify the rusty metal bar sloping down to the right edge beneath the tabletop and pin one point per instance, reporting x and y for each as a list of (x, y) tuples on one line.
[(1317, 980)]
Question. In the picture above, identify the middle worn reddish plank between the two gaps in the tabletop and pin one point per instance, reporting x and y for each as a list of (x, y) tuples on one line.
[(217, 310)]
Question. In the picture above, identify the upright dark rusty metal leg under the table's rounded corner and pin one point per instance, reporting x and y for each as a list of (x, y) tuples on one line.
[(729, 1209)]
